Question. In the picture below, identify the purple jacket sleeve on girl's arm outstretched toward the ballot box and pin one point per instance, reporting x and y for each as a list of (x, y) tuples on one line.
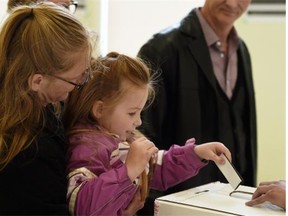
[(175, 166)]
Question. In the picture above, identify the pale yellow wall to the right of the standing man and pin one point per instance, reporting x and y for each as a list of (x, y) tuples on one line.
[(266, 41)]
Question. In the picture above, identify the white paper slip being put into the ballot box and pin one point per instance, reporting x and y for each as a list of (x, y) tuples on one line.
[(230, 173)]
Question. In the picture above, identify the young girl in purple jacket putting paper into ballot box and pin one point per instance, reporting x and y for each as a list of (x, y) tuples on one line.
[(101, 119)]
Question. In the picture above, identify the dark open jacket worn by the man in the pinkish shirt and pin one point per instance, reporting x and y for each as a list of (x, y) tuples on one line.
[(190, 102)]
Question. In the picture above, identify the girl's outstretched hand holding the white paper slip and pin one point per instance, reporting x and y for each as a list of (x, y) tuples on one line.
[(212, 151)]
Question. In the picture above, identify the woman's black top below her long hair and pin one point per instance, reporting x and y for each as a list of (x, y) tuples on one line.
[(34, 182)]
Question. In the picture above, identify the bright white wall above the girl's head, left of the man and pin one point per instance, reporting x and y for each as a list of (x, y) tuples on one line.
[(131, 23)]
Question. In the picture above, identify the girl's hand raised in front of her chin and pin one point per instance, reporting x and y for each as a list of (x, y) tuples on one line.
[(139, 154)]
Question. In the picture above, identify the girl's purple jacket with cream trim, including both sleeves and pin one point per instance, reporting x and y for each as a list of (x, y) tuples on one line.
[(98, 180)]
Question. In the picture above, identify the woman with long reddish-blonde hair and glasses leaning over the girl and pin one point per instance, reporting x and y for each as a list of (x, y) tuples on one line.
[(44, 55)]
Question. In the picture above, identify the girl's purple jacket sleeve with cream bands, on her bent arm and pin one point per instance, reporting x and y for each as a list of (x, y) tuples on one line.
[(96, 186)]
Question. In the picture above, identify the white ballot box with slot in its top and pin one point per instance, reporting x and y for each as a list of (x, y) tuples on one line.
[(213, 199)]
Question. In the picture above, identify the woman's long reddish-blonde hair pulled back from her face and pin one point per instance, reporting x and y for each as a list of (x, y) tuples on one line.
[(34, 39)]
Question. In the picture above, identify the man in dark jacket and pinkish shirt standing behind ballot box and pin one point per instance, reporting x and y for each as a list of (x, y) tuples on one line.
[(205, 90)]
